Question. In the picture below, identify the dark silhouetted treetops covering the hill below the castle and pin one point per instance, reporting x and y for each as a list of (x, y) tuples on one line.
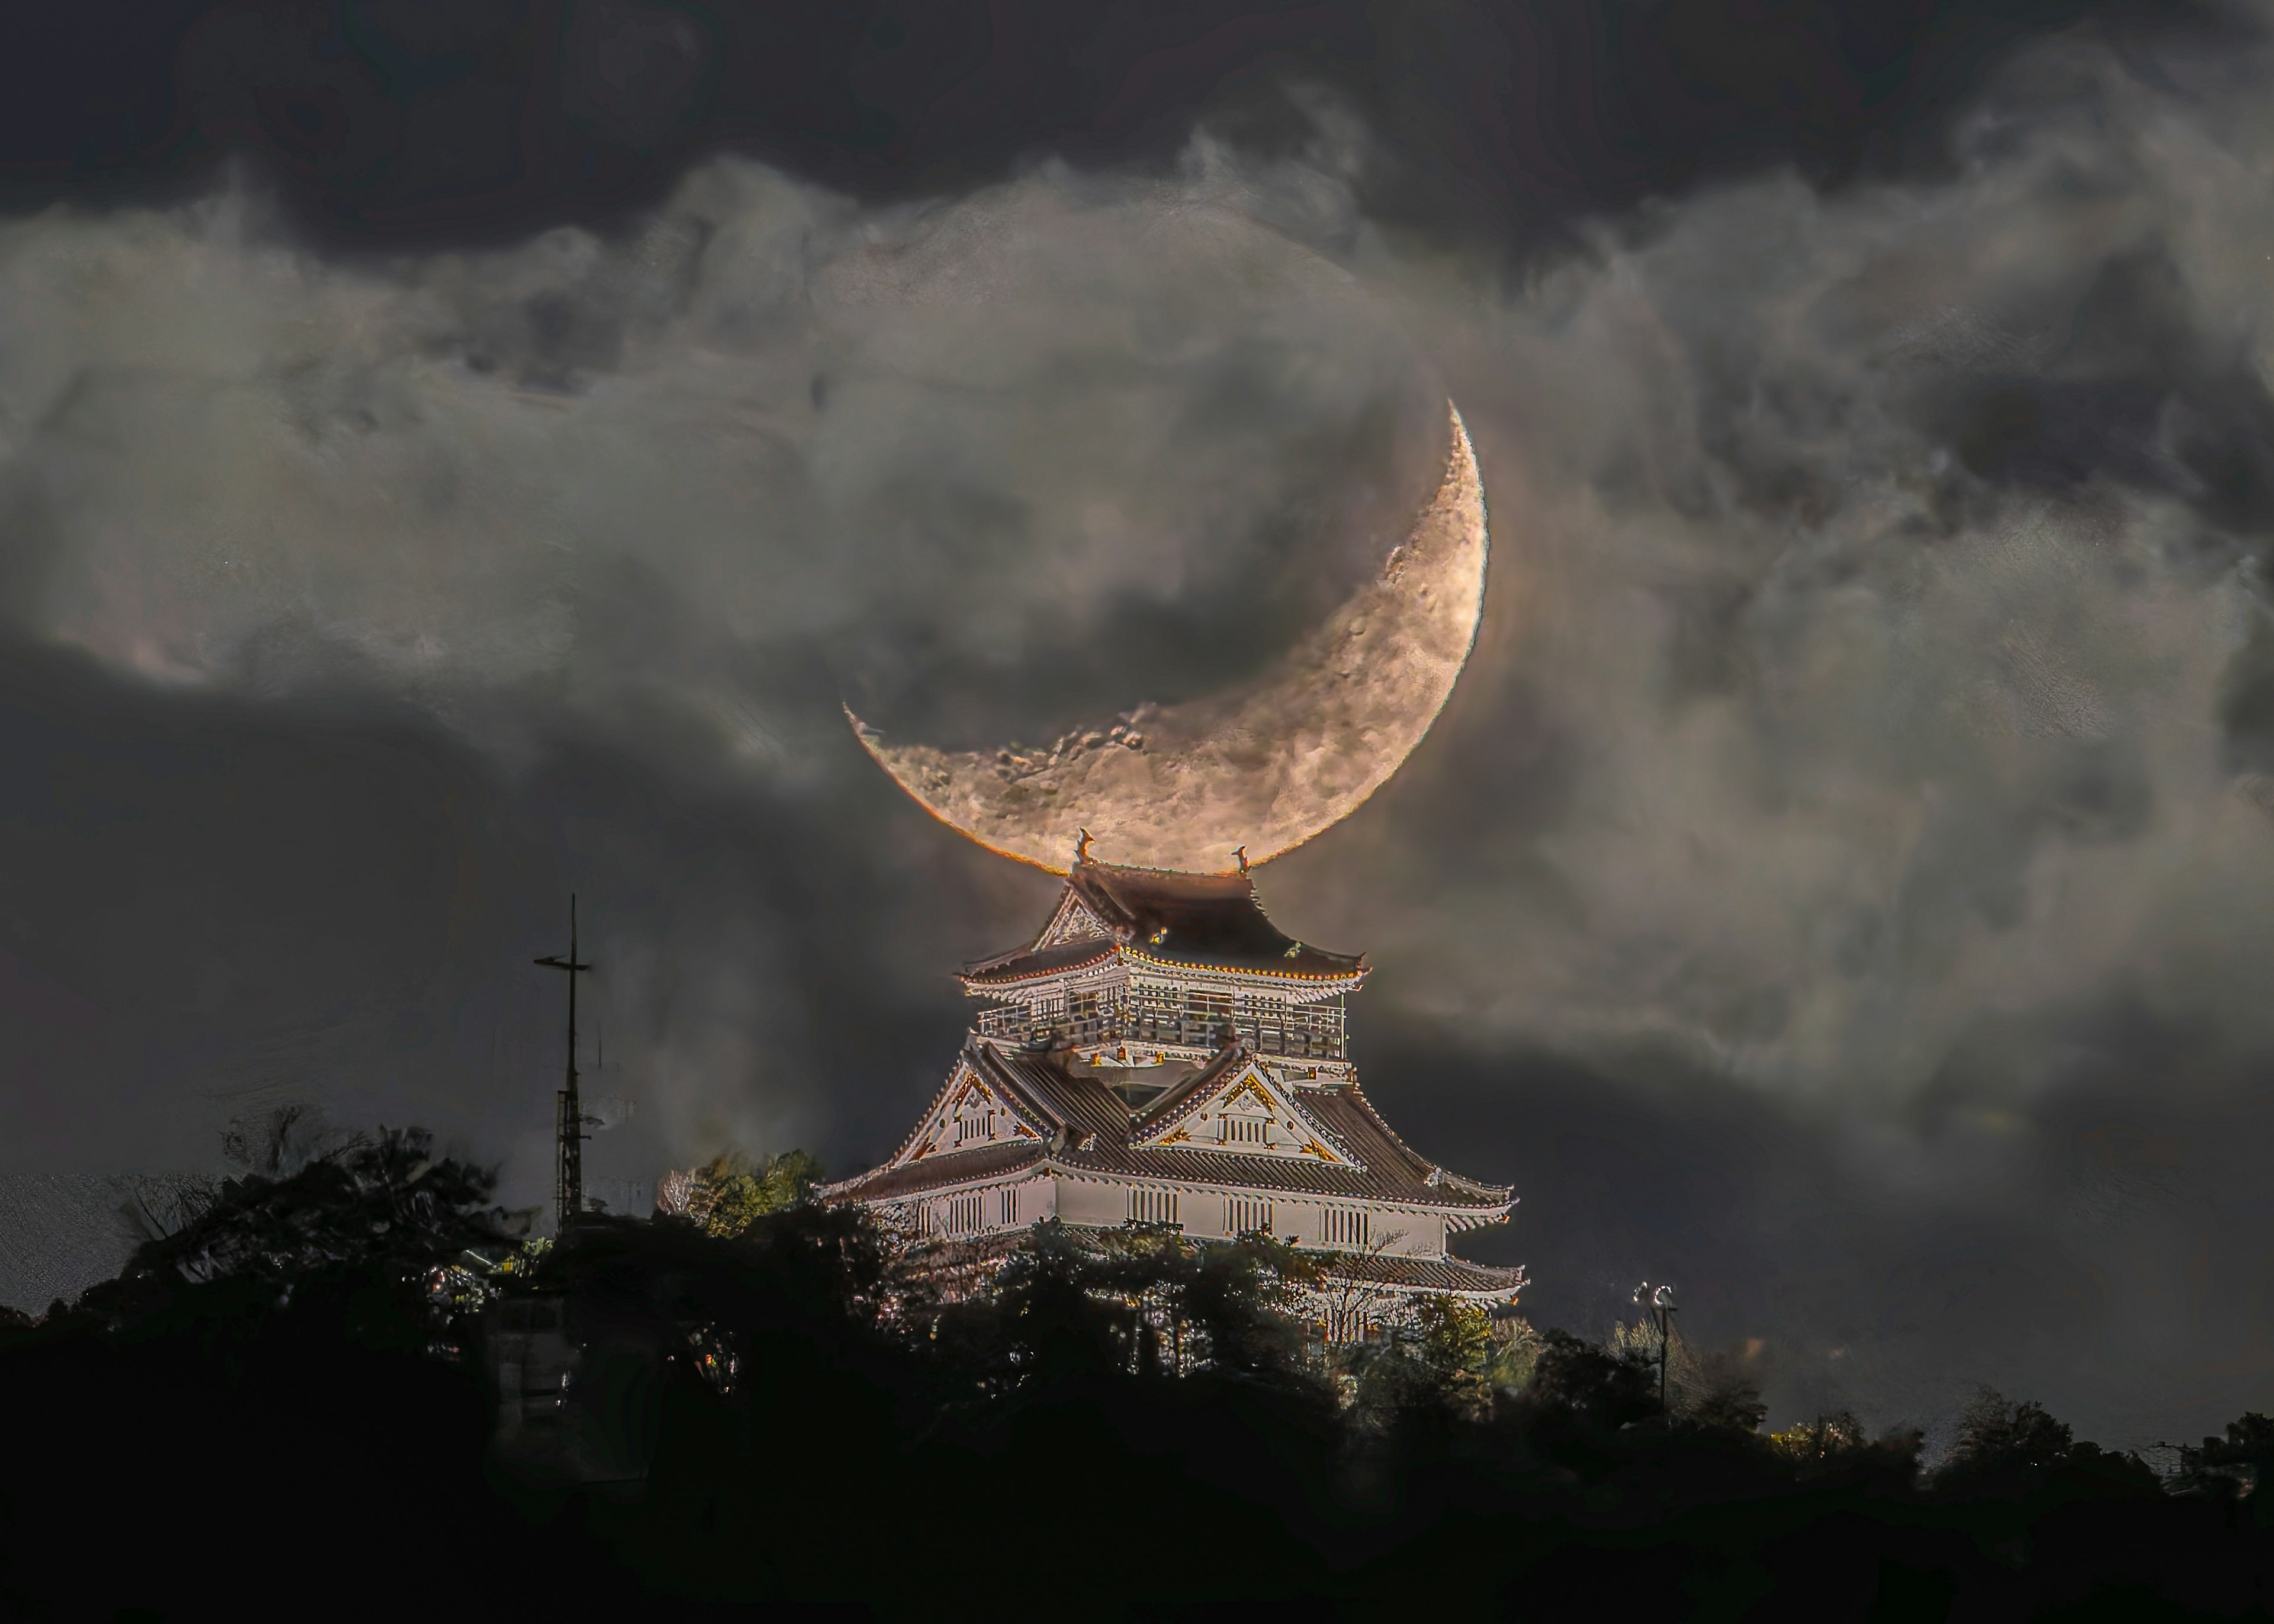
[(770, 1384)]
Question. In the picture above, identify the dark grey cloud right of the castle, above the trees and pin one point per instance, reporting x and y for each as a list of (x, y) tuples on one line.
[(2093, 1248)]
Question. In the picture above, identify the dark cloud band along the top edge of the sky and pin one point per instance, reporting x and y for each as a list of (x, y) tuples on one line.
[(417, 124)]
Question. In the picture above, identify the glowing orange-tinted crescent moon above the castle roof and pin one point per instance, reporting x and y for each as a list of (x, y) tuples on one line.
[(1261, 770)]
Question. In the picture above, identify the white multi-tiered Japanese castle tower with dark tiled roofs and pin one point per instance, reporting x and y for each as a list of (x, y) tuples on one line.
[(1163, 1054)]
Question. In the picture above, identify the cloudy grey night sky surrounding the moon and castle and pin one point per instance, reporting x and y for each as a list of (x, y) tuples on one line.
[(463, 454)]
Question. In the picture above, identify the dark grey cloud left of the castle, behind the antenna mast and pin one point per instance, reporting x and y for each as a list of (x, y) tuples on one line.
[(219, 909)]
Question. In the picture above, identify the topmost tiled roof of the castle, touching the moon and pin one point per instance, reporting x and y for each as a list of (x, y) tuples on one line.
[(1204, 920)]
